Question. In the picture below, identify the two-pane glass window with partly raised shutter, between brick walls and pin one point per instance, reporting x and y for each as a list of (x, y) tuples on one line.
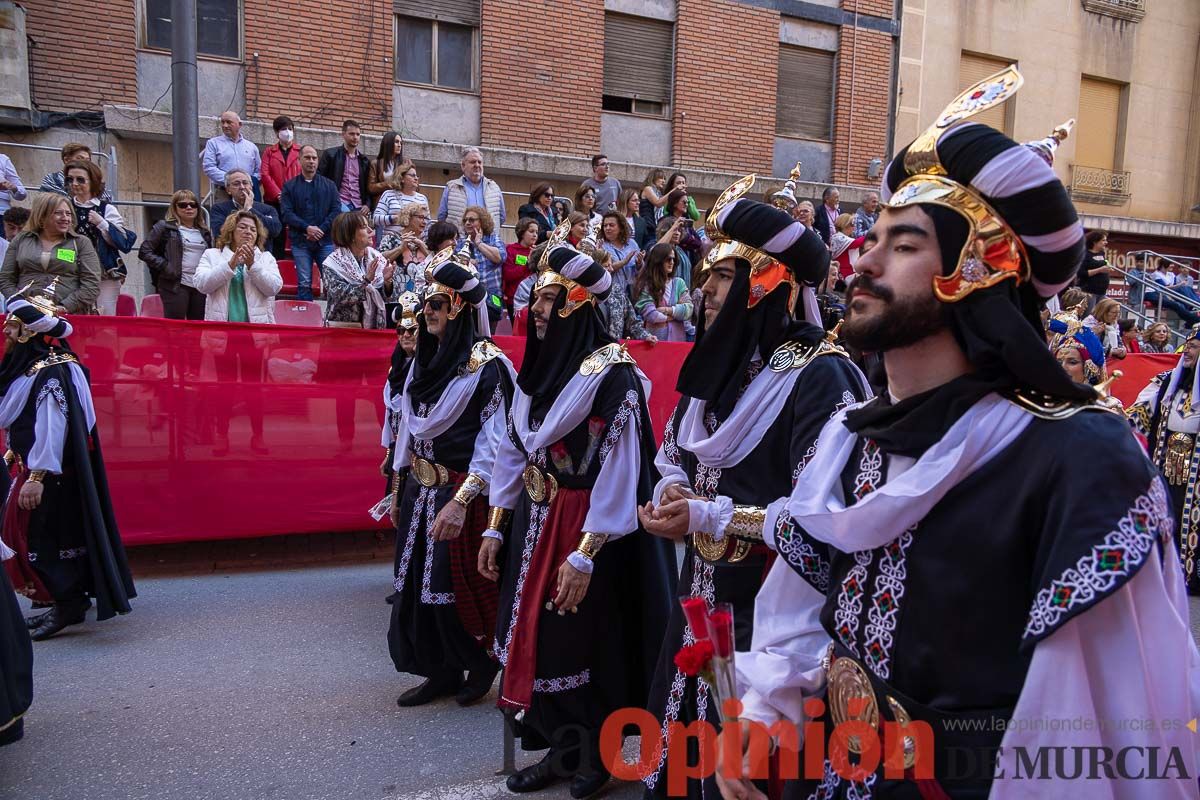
[(437, 43)]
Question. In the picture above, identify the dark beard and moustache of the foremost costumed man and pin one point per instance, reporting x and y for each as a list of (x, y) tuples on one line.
[(901, 324)]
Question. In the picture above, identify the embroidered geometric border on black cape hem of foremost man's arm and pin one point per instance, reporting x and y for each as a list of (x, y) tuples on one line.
[(1120, 555)]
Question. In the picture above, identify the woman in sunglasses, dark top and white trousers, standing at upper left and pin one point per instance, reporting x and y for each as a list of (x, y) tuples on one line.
[(104, 226)]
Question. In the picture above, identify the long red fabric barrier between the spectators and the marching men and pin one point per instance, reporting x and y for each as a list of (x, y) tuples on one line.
[(170, 394)]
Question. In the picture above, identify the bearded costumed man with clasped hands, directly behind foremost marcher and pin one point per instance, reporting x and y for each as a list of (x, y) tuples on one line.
[(758, 388)]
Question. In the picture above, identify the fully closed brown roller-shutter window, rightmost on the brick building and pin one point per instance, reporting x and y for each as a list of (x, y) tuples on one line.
[(805, 95)]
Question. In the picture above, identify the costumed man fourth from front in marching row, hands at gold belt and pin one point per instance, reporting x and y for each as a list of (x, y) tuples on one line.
[(454, 407)]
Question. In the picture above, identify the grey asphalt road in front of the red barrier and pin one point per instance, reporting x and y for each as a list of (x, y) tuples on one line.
[(249, 685)]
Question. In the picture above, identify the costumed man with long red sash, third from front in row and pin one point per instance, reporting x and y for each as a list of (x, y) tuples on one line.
[(585, 596)]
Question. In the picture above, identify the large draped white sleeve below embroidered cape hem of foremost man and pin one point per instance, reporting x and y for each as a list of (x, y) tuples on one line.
[(1124, 676)]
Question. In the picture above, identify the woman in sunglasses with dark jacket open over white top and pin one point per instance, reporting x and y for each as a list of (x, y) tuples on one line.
[(173, 252)]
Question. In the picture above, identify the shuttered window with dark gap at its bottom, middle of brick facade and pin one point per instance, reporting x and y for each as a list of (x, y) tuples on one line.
[(639, 56)]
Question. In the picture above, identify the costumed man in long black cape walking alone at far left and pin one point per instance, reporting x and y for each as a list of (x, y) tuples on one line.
[(59, 519)]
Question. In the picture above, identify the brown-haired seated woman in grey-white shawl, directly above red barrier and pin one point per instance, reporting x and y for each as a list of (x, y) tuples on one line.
[(355, 275)]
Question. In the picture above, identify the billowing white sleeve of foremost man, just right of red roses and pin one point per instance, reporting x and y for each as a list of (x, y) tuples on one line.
[(784, 664)]
